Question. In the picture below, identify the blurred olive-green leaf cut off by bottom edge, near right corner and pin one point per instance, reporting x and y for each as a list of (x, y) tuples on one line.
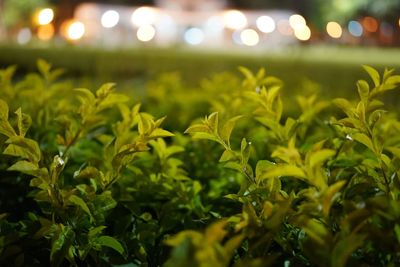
[(344, 248)]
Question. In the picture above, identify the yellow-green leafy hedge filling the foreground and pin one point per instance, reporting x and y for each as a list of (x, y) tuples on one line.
[(90, 179)]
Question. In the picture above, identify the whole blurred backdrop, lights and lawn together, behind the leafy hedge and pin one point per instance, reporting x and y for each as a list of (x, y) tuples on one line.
[(306, 43)]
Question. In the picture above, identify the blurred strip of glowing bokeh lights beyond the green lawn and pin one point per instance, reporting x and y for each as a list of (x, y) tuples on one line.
[(205, 24)]
